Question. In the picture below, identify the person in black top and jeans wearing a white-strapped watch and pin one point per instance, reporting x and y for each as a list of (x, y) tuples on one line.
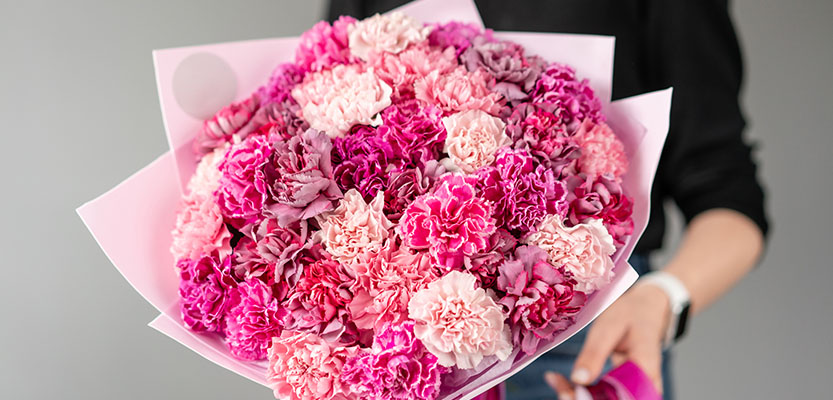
[(706, 169)]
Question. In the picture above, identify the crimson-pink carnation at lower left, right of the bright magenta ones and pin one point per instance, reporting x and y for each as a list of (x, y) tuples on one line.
[(318, 302)]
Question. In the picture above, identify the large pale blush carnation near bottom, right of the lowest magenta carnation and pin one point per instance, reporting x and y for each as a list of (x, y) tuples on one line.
[(459, 322)]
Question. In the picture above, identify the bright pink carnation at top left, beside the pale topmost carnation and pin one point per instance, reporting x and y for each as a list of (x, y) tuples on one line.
[(324, 45)]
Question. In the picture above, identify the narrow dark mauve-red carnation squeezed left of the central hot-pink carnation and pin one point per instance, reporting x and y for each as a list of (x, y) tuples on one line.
[(405, 185)]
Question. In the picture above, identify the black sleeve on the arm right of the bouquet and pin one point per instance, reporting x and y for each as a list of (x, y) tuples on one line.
[(706, 163)]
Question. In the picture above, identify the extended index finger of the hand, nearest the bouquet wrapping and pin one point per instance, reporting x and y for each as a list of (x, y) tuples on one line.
[(602, 338)]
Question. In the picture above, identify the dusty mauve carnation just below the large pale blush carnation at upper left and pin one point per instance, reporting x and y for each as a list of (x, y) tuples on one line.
[(300, 178)]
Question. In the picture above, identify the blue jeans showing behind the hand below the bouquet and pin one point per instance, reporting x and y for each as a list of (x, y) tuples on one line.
[(528, 384)]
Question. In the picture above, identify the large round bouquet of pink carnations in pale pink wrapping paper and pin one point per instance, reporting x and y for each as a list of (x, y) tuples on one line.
[(405, 209)]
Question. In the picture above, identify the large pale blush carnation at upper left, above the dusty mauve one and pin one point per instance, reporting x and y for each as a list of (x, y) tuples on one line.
[(333, 100)]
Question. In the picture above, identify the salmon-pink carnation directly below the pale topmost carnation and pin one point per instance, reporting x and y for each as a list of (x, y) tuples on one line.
[(402, 70)]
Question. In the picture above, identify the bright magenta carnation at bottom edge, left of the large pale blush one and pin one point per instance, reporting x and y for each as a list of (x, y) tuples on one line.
[(397, 367)]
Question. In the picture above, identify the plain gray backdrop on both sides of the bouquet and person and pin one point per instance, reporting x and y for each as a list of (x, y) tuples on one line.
[(79, 113)]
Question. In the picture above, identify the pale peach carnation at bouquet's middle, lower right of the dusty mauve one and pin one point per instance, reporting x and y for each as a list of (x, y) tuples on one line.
[(354, 227)]
